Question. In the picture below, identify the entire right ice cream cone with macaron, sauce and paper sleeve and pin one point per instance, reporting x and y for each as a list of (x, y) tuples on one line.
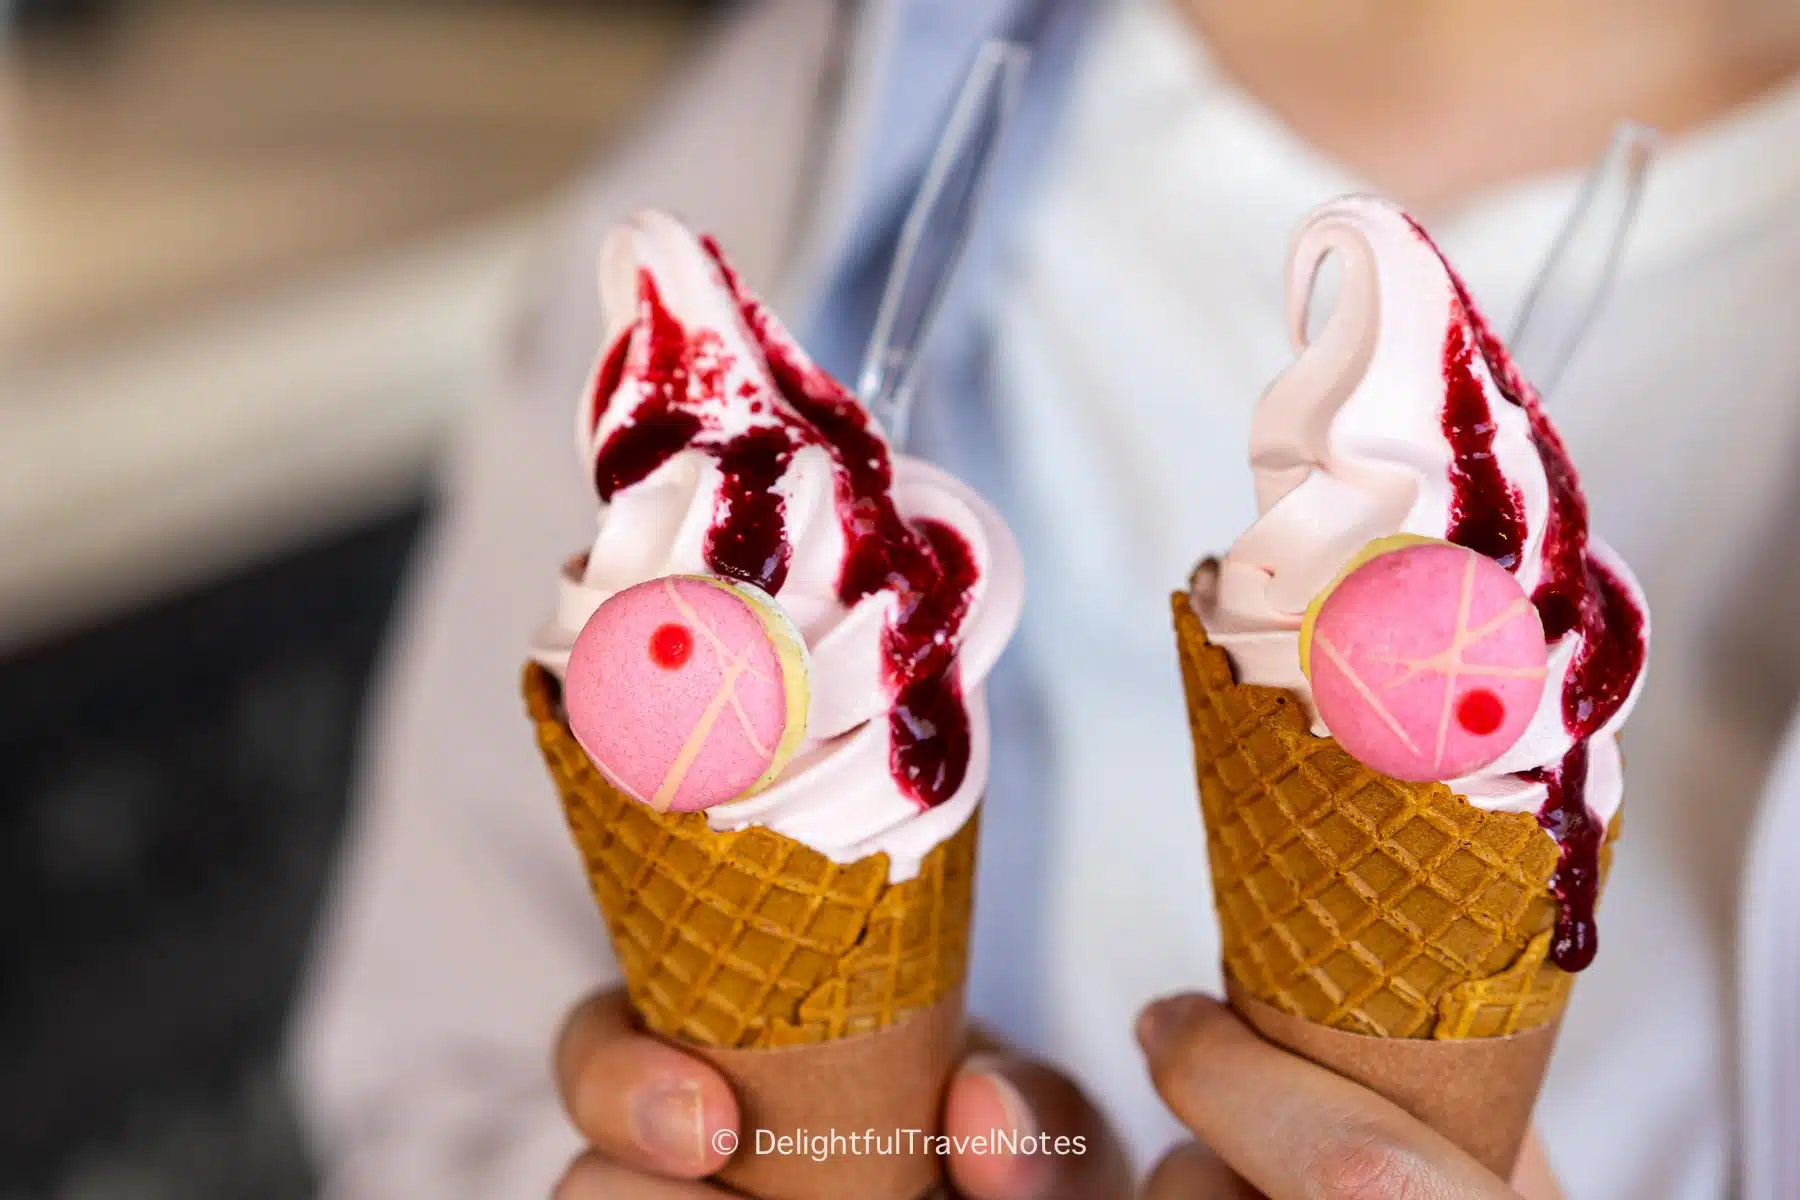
[(1405, 893)]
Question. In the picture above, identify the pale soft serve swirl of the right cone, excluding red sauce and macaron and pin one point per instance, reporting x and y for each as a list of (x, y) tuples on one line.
[(1349, 445)]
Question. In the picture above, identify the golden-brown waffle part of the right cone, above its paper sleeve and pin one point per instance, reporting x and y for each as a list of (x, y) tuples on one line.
[(1354, 900)]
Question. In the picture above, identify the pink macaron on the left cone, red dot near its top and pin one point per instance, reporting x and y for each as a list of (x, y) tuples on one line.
[(688, 692)]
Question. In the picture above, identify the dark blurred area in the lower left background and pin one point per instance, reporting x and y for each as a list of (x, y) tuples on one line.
[(174, 793)]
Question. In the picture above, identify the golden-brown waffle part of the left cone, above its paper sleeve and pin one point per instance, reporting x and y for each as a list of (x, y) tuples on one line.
[(751, 940)]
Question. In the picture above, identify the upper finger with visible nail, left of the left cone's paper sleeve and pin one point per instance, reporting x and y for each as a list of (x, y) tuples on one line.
[(636, 1100)]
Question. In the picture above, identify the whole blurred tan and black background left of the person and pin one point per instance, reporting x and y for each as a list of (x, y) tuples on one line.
[(253, 260)]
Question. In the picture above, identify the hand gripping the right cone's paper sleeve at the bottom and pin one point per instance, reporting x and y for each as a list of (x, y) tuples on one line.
[(1275, 1125)]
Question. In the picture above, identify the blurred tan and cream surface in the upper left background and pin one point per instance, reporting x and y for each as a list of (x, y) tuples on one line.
[(253, 258)]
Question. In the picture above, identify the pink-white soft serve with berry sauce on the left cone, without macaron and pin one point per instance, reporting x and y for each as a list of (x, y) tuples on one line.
[(721, 451)]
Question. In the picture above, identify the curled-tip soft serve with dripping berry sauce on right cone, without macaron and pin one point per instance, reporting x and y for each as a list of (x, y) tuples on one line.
[(1407, 416)]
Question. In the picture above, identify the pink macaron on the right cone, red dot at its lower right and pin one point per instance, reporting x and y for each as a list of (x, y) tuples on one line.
[(1426, 659)]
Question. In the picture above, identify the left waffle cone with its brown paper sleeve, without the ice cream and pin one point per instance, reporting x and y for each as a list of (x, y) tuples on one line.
[(829, 996)]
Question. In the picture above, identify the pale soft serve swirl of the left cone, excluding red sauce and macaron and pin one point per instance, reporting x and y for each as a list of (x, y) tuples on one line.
[(838, 794)]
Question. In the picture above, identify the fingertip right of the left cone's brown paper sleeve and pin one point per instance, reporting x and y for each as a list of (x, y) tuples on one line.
[(1065, 1149)]
